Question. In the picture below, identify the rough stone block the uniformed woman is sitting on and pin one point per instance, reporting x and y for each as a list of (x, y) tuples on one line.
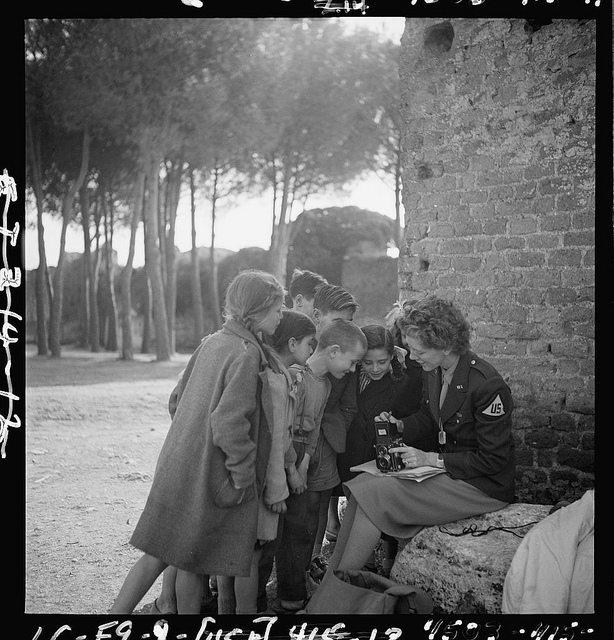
[(465, 574)]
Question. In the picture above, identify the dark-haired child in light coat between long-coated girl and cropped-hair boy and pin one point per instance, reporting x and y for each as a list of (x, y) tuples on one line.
[(292, 343)]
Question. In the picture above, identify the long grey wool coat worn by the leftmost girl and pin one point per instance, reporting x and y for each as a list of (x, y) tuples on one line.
[(219, 430)]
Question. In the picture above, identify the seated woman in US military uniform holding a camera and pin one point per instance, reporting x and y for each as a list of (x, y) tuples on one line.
[(466, 409)]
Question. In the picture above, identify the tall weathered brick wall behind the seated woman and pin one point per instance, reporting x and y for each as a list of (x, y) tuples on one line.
[(499, 183)]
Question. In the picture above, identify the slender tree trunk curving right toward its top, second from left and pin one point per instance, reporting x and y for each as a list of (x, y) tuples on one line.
[(55, 320)]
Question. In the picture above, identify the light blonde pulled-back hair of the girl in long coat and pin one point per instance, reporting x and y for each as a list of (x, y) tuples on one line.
[(251, 293)]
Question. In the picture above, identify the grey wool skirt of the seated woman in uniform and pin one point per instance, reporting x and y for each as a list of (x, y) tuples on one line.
[(401, 508)]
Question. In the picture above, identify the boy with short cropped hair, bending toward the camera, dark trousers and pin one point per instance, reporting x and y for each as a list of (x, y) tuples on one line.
[(341, 345)]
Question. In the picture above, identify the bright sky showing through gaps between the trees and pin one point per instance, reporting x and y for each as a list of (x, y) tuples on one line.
[(238, 224)]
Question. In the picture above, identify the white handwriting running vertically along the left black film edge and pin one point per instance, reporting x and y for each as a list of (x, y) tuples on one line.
[(8, 278)]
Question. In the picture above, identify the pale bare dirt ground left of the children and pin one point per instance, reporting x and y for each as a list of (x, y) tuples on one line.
[(94, 428)]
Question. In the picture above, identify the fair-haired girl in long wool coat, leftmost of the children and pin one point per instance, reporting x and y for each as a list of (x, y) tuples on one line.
[(201, 515)]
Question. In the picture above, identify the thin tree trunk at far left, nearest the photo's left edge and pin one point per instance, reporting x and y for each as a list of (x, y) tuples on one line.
[(42, 272)]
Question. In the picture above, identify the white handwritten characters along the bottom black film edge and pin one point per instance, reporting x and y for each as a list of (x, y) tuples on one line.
[(433, 628)]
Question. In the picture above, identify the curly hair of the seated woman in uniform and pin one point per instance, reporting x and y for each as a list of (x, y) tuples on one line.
[(437, 323)]
